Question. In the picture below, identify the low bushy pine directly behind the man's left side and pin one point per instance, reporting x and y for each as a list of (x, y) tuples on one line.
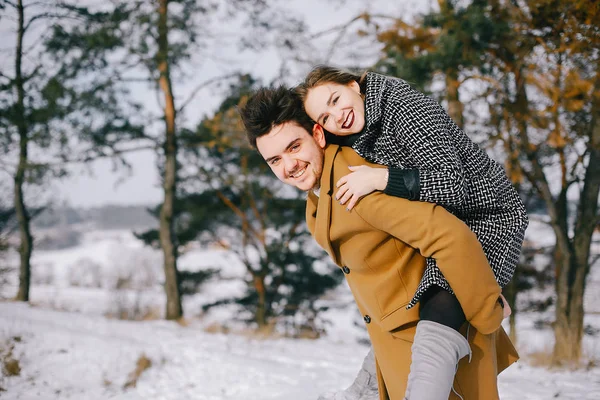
[(243, 208)]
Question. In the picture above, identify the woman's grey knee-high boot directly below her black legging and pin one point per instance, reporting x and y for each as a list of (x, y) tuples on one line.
[(435, 354)]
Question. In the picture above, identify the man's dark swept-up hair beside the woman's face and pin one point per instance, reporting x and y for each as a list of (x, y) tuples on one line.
[(268, 108)]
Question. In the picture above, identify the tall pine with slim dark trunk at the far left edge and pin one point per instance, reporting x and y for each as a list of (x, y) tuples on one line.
[(51, 109)]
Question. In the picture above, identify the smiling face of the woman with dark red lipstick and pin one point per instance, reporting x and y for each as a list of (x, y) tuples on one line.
[(340, 109)]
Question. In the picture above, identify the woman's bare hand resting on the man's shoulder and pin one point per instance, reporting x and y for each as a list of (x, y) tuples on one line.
[(360, 182)]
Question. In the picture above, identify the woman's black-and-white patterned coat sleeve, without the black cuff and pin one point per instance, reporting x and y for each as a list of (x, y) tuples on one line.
[(423, 129)]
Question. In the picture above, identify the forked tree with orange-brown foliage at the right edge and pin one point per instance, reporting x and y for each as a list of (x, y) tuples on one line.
[(545, 90)]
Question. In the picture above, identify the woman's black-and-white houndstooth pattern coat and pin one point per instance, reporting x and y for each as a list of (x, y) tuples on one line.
[(406, 129)]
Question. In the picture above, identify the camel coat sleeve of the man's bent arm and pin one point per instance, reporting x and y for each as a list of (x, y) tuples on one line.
[(436, 233)]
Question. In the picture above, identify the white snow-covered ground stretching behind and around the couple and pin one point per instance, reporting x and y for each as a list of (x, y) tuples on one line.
[(69, 346)]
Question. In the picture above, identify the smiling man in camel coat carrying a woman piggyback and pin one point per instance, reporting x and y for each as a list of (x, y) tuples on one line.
[(381, 246)]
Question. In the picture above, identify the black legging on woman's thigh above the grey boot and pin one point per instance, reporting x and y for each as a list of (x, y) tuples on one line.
[(439, 306)]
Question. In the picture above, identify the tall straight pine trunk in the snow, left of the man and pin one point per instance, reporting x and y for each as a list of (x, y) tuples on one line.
[(166, 234)]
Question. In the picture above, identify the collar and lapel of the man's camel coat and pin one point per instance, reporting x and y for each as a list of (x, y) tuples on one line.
[(318, 209)]
